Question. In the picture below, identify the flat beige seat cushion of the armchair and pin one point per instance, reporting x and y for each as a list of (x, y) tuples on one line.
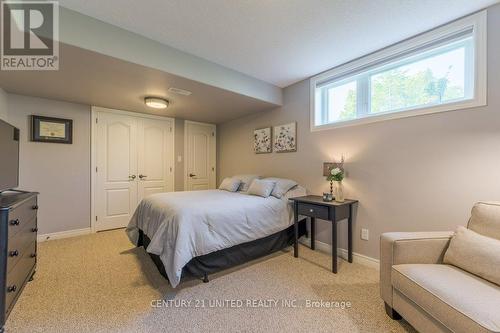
[(461, 301)]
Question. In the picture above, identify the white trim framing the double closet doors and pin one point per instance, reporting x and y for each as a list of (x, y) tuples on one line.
[(93, 158)]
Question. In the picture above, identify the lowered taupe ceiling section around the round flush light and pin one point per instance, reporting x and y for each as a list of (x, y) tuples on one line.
[(91, 78)]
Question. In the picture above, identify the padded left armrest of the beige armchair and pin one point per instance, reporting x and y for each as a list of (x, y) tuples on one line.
[(409, 248)]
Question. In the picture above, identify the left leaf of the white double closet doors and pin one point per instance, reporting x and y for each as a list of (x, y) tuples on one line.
[(116, 161)]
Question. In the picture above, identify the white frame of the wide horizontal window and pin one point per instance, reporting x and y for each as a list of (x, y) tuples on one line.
[(478, 23)]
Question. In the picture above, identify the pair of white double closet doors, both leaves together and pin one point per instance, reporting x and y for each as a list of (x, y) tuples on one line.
[(134, 159)]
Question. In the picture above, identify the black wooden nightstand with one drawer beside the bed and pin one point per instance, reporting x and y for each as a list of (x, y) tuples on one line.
[(314, 207)]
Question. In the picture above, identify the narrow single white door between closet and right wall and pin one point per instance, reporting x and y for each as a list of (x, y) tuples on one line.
[(200, 156)]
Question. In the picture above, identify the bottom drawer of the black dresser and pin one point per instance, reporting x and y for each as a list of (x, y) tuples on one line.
[(18, 277)]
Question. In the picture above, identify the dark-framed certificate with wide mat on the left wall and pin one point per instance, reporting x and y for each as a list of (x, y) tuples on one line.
[(48, 129)]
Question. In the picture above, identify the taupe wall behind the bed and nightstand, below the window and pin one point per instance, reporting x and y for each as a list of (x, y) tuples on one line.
[(412, 174)]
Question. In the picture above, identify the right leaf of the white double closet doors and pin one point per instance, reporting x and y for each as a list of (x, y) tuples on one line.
[(155, 157)]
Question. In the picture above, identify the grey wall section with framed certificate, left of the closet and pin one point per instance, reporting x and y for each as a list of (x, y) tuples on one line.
[(60, 172)]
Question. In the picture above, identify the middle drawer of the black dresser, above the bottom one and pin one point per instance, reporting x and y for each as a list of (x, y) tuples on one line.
[(20, 243)]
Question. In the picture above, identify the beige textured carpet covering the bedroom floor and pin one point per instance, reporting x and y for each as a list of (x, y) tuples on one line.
[(101, 283)]
